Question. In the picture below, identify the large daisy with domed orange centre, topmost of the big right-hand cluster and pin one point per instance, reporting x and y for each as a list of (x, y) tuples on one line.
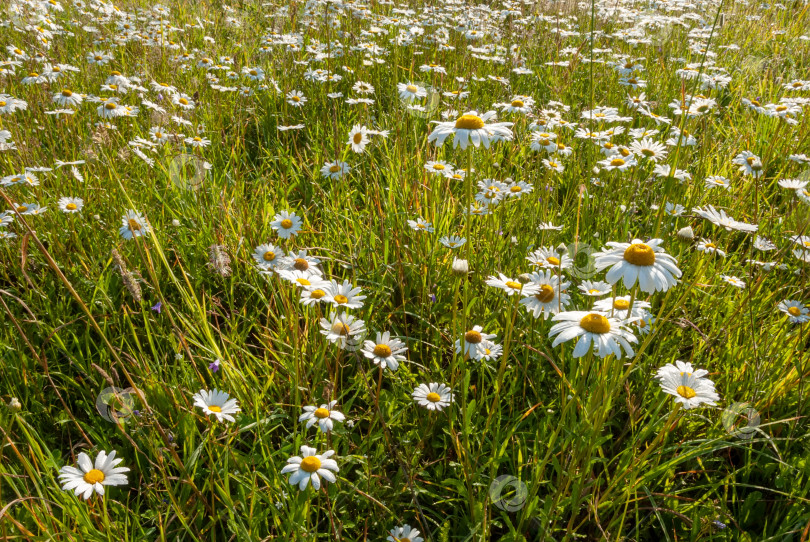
[(644, 263)]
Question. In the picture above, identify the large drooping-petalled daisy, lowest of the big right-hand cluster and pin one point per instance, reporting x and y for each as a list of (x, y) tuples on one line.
[(607, 335)]
